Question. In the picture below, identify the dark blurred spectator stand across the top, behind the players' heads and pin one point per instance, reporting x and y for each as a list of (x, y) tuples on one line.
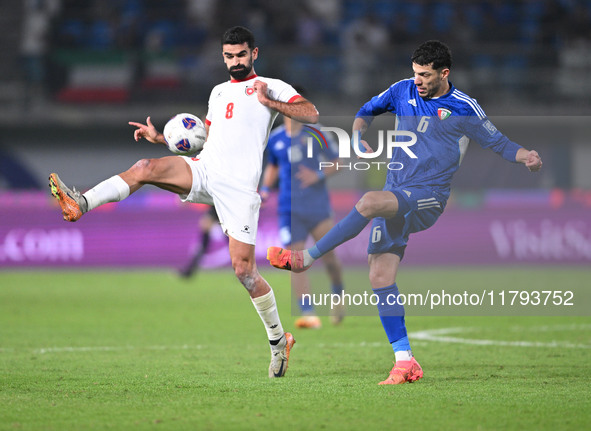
[(133, 51)]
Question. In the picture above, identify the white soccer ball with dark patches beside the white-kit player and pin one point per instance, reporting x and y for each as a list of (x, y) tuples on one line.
[(185, 134)]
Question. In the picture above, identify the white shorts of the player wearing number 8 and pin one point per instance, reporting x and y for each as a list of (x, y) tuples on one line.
[(237, 208)]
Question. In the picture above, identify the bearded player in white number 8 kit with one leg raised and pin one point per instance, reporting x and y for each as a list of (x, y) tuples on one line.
[(225, 174)]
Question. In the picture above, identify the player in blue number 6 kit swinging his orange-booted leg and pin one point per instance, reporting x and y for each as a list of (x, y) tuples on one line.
[(444, 120)]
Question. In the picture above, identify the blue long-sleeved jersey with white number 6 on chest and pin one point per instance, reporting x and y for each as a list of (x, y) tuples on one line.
[(443, 126)]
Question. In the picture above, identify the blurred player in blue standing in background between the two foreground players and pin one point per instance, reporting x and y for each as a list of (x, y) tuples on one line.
[(303, 204)]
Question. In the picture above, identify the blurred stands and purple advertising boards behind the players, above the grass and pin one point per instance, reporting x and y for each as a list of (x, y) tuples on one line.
[(73, 73)]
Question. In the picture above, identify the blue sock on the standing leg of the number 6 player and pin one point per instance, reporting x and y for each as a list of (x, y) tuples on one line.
[(392, 317)]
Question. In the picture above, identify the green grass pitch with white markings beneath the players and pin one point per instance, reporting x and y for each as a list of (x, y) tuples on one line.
[(146, 350)]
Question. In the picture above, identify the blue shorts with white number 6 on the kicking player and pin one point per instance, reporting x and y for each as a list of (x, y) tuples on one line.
[(421, 207)]
